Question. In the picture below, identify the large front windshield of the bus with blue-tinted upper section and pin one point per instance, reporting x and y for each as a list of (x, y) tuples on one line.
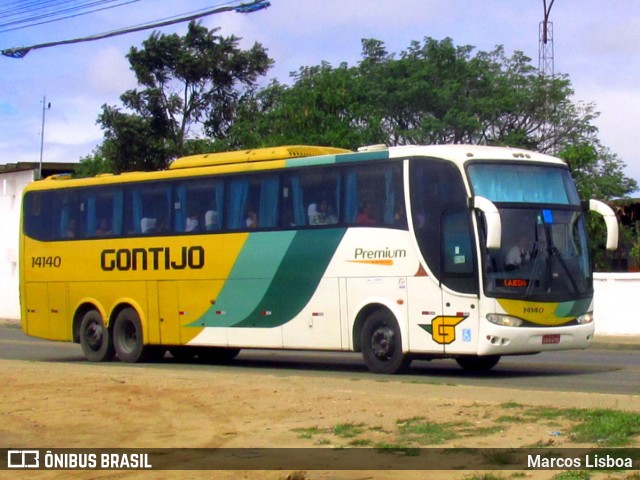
[(544, 253)]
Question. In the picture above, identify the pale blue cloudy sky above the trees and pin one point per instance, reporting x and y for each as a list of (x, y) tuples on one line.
[(596, 44)]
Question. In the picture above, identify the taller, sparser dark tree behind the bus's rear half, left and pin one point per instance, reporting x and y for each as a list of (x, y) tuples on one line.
[(188, 83)]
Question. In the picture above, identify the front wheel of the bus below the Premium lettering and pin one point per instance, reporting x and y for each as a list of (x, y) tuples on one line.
[(382, 344)]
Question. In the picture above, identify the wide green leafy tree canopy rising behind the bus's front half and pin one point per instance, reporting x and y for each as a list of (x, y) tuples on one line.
[(433, 92)]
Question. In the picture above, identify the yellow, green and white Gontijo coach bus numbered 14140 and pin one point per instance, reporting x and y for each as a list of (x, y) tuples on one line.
[(455, 251)]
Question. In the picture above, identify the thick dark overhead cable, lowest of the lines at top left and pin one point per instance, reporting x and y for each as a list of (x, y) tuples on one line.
[(20, 52)]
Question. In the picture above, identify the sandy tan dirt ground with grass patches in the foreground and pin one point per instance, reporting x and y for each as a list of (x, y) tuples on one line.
[(59, 405)]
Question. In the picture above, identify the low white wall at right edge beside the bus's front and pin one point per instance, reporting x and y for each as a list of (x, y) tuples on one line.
[(617, 303)]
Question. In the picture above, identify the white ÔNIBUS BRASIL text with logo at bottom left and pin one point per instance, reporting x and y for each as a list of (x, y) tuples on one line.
[(32, 459)]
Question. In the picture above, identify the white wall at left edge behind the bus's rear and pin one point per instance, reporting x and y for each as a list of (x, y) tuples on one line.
[(11, 186)]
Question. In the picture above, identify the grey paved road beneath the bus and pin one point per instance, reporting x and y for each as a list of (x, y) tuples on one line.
[(602, 368)]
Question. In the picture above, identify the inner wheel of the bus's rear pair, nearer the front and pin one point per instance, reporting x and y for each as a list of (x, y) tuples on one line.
[(128, 338)]
